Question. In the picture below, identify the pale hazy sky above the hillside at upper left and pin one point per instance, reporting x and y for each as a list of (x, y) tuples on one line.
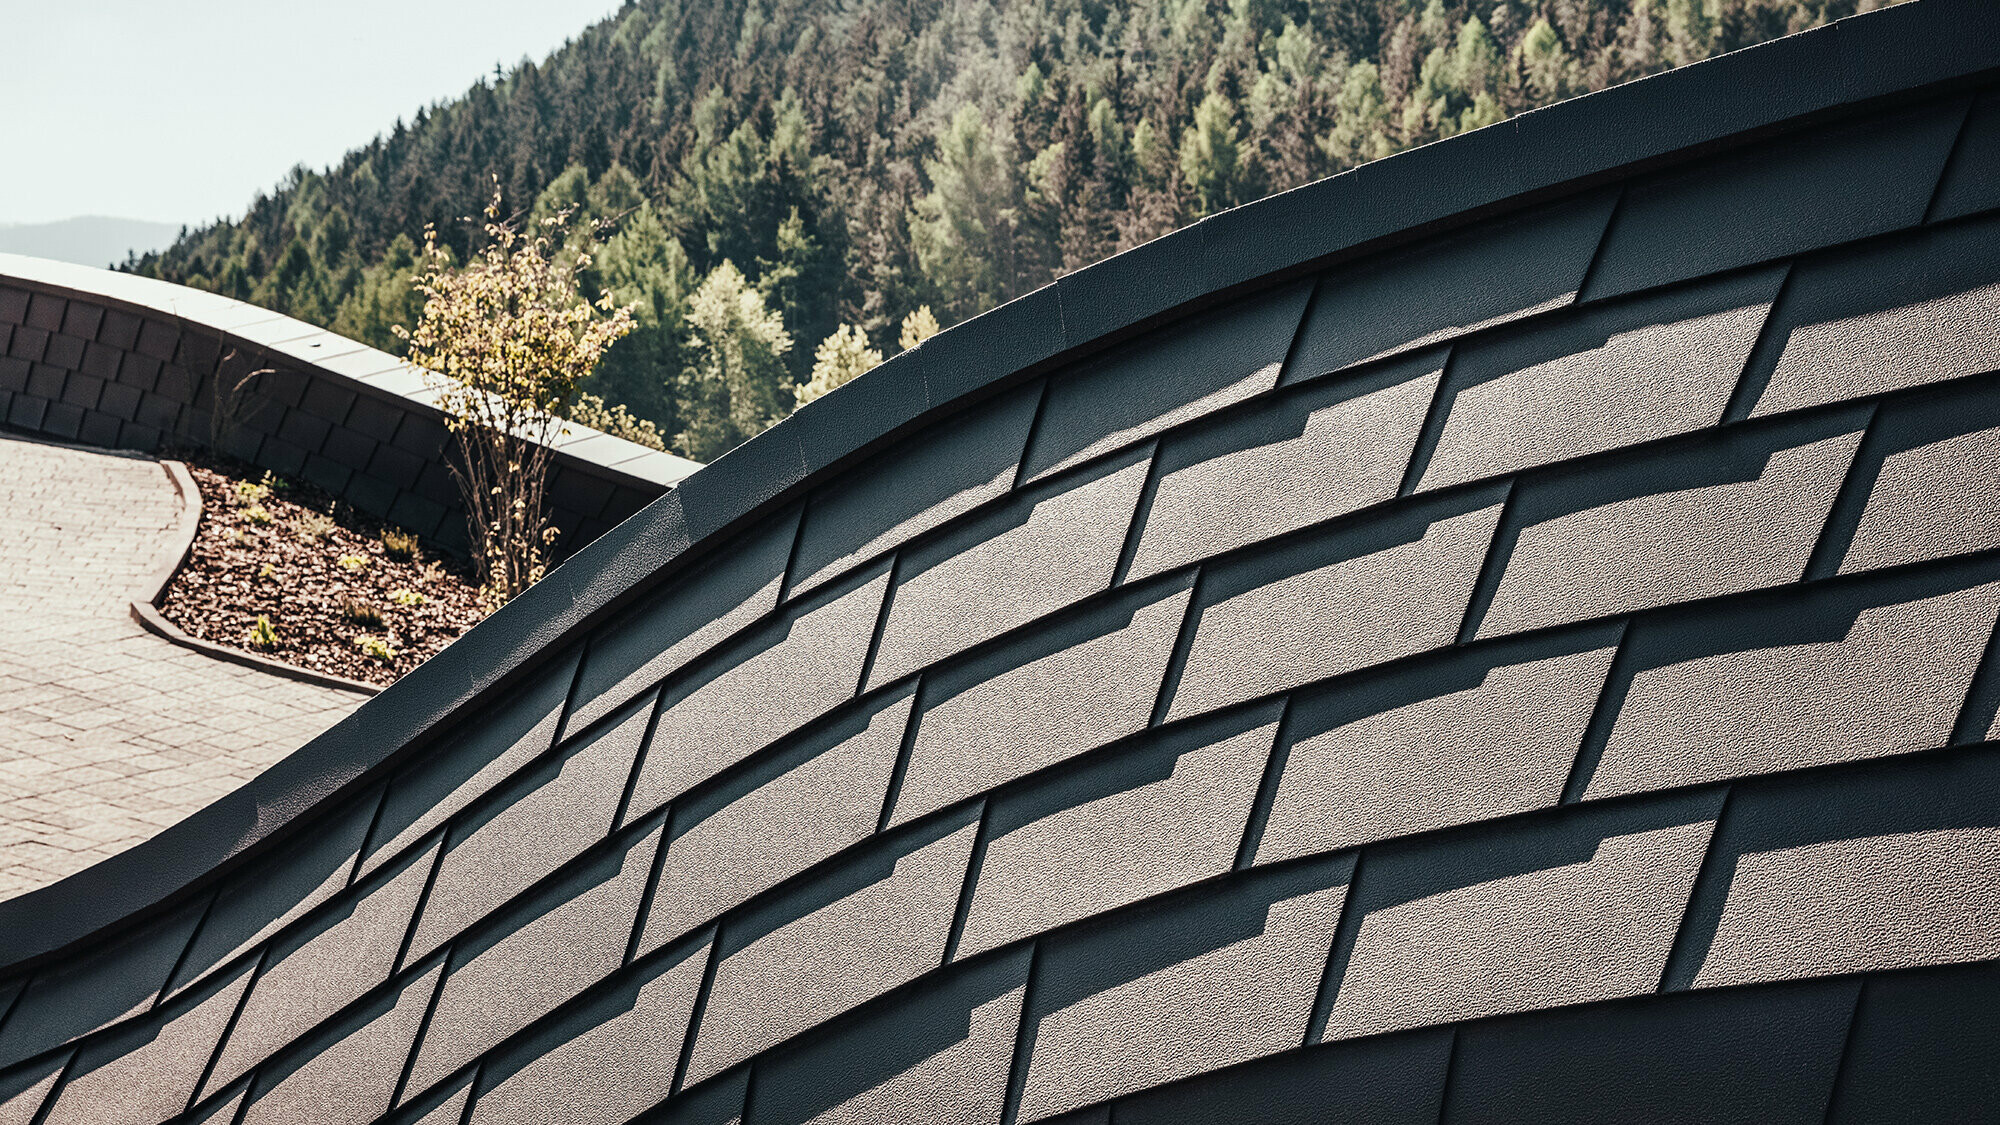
[(179, 111)]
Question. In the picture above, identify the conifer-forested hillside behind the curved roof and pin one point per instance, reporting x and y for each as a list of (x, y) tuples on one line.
[(781, 171)]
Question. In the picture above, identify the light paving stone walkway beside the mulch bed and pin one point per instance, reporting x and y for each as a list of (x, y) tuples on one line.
[(107, 732)]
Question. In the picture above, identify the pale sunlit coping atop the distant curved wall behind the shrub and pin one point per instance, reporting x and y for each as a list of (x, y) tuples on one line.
[(327, 353)]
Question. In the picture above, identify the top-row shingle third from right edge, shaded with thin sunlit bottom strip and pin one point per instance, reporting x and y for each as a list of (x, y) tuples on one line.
[(1453, 285)]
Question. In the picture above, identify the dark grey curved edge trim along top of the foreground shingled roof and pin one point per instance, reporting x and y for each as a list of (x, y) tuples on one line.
[(1735, 99)]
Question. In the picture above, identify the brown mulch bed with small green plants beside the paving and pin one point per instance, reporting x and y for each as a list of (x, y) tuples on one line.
[(261, 555)]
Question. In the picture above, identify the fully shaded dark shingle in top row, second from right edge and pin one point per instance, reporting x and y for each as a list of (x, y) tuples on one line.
[(1773, 199)]
